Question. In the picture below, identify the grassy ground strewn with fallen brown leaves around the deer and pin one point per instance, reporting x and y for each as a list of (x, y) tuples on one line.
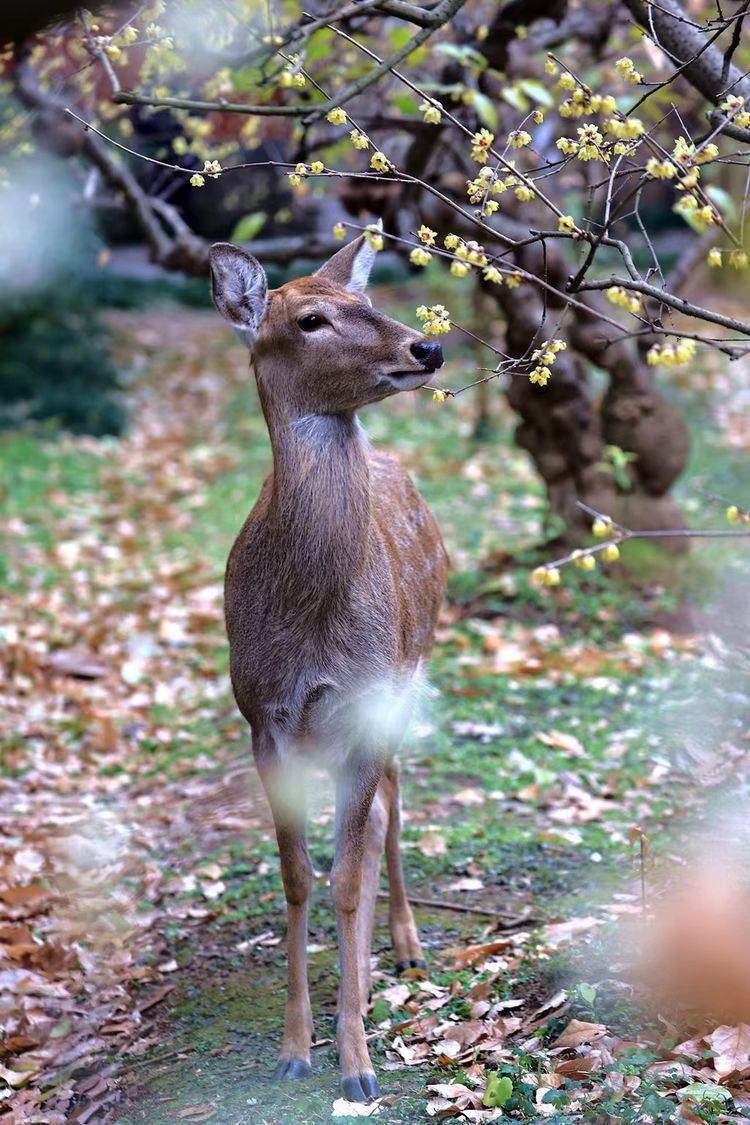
[(581, 745)]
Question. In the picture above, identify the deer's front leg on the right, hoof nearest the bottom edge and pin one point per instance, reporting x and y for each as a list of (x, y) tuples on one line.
[(355, 794)]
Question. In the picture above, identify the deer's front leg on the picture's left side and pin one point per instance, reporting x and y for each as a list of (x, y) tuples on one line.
[(288, 811)]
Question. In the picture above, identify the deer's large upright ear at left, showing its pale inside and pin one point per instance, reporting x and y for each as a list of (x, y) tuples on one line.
[(240, 290)]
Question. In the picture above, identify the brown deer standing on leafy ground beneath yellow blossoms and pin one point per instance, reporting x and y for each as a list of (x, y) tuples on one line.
[(332, 595)]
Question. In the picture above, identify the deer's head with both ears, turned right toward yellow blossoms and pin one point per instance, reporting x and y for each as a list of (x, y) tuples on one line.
[(319, 346)]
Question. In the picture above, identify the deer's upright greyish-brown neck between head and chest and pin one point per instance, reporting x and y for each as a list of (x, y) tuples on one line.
[(321, 497)]
